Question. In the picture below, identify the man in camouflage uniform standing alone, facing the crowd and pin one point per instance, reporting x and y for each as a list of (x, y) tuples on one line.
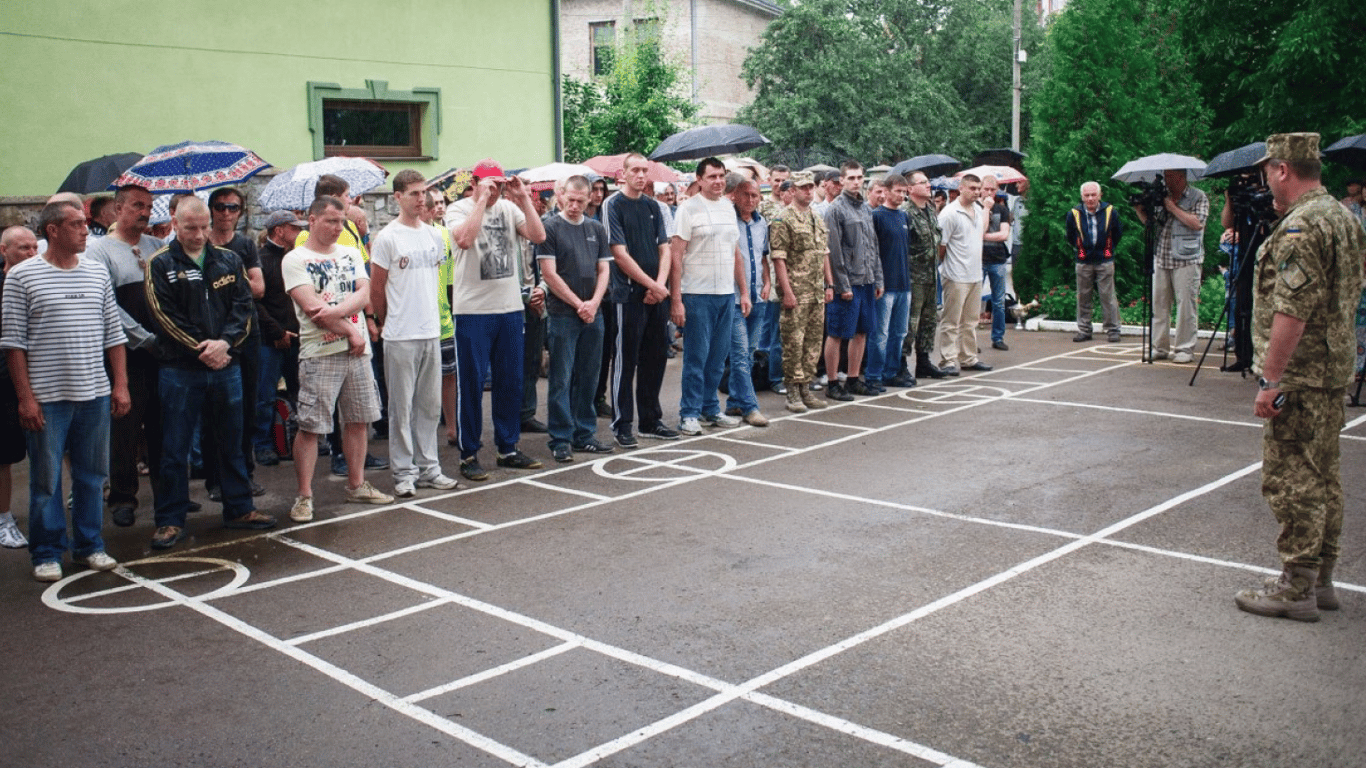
[(1308, 281)]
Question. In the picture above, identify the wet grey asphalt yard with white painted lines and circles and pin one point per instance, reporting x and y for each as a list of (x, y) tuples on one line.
[(1028, 568)]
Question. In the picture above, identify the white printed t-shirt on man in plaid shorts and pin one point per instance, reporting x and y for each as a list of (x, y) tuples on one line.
[(334, 277)]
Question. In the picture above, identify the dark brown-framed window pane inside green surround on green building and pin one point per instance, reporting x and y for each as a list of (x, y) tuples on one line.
[(372, 129)]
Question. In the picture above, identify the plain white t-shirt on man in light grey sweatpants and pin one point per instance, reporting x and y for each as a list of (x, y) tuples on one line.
[(413, 259)]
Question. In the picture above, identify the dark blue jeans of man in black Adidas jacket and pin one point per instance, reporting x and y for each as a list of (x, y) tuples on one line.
[(218, 396)]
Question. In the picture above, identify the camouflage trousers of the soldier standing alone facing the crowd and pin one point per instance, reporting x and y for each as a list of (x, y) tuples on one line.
[(1302, 475)]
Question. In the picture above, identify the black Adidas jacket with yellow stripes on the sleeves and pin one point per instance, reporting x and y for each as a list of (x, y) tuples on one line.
[(191, 305)]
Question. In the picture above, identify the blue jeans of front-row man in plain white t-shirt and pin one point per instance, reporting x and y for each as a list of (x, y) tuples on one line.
[(707, 342)]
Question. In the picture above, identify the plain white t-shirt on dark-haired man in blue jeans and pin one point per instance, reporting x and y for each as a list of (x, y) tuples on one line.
[(710, 228)]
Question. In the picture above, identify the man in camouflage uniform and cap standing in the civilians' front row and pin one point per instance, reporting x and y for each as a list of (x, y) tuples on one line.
[(798, 251)]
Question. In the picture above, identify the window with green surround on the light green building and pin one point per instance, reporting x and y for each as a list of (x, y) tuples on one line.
[(375, 122)]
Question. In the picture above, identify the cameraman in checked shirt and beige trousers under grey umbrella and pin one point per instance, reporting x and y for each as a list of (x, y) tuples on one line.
[(1177, 266)]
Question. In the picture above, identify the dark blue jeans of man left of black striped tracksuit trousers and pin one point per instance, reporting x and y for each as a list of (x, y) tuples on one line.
[(576, 359)]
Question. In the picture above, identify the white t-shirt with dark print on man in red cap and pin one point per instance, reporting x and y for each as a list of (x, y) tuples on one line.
[(486, 277)]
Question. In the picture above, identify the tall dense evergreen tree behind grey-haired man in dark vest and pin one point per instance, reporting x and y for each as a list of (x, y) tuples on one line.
[(1121, 88)]
